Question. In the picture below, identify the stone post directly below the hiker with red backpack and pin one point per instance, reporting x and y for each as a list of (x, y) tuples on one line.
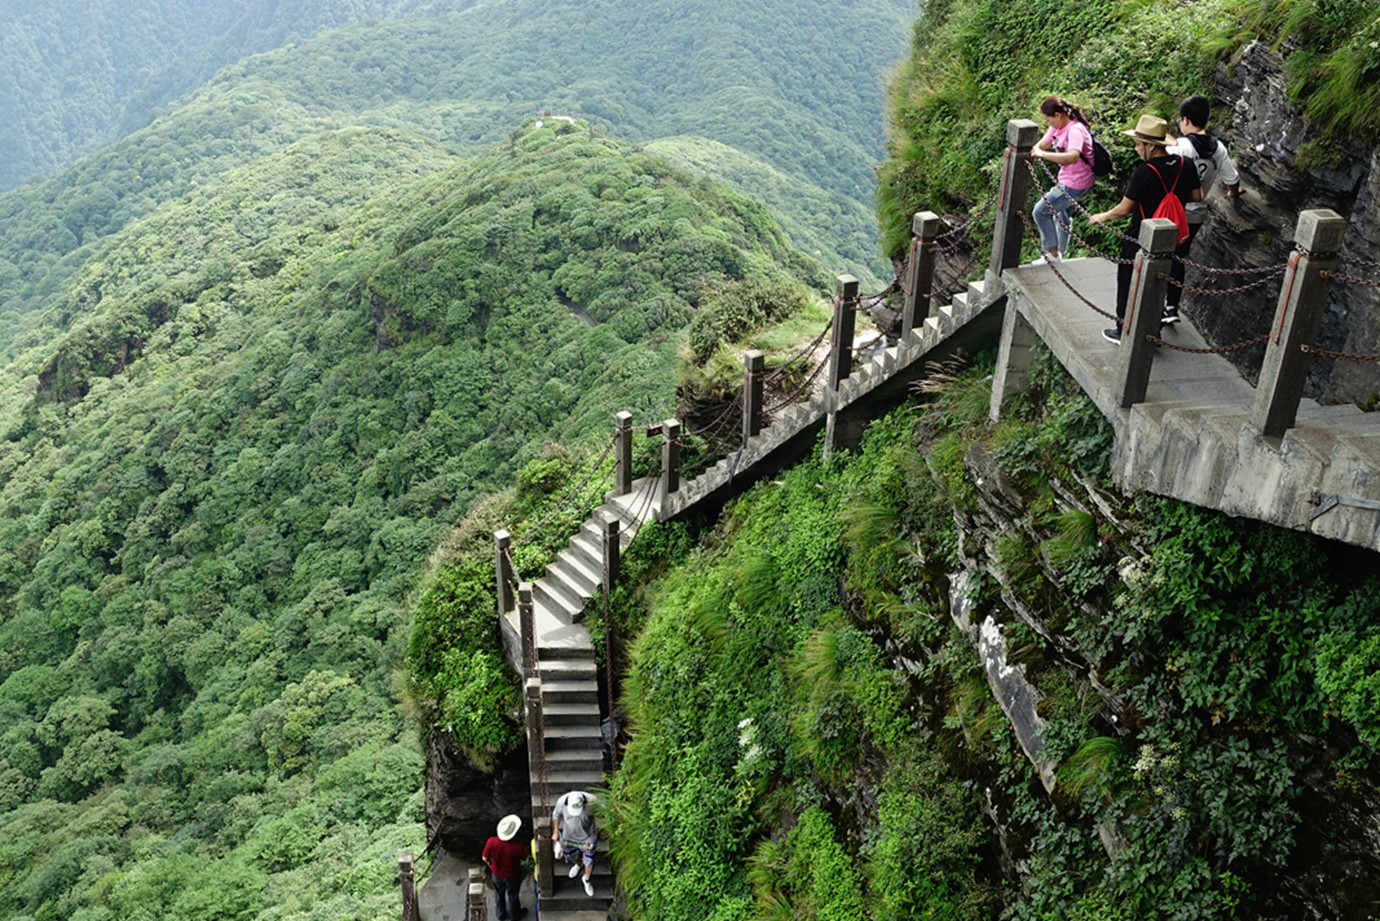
[(1145, 310)]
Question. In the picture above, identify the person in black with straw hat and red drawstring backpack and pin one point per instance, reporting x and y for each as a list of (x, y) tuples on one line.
[(1160, 175)]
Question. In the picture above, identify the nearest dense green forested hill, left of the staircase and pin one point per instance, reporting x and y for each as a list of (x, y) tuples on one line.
[(223, 480)]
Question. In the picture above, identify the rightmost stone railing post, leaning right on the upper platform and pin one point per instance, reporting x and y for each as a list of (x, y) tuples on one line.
[(1303, 299)]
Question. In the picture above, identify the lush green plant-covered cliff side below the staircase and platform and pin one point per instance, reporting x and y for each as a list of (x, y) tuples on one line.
[(814, 735)]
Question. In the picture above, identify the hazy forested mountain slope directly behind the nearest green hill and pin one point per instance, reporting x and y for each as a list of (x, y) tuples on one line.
[(775, 81)]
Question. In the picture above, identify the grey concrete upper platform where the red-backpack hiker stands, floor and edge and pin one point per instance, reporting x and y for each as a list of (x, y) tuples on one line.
[(1192, 438)]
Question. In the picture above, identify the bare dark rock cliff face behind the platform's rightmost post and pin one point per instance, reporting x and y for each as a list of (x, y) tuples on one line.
[(1287, 168)]
